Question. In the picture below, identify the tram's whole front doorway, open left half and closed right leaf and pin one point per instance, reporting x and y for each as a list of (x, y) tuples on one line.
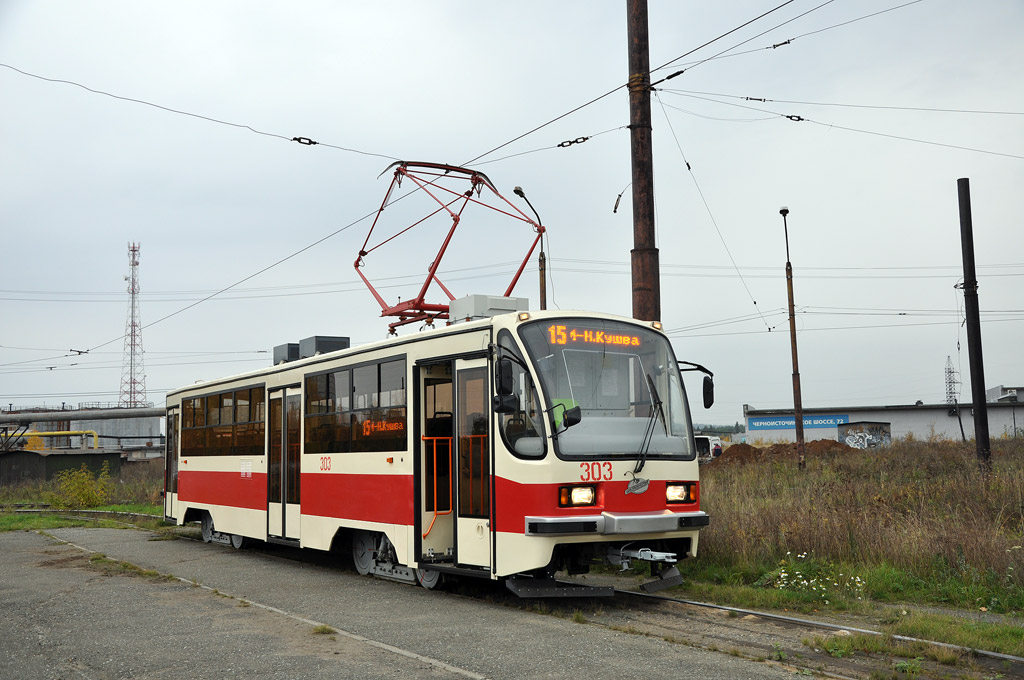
[(455, 463)]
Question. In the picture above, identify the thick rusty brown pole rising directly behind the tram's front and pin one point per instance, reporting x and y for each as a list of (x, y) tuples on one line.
[(645, 258)]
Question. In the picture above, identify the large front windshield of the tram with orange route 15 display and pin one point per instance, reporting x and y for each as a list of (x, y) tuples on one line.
[(625, 380)]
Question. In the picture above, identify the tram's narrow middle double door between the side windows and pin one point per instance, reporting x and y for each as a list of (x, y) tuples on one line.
[(284, 463)]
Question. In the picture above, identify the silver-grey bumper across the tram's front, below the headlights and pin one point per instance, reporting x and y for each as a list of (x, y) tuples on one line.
[(610, 524)]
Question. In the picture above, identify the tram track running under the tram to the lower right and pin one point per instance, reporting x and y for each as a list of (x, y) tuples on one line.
[(758, 635)]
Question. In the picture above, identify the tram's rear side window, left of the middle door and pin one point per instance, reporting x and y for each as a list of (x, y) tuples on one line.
[(231, 423)]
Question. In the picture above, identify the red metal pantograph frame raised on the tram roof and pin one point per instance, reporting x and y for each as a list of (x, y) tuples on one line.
[(437, 181)]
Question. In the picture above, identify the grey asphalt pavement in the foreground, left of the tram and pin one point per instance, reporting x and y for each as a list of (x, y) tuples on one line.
[(232, 614)]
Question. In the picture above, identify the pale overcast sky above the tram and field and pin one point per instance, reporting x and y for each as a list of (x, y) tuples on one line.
[(874, 223)]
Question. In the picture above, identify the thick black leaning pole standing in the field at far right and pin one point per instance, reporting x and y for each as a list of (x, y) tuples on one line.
[(973, 326)]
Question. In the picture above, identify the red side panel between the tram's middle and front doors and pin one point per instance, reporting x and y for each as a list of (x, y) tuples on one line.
[(375, 498)]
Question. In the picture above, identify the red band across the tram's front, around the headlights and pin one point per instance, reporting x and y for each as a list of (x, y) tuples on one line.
[(516, 502)]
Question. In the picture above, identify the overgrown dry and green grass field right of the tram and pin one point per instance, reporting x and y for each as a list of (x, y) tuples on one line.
[(918, 524)]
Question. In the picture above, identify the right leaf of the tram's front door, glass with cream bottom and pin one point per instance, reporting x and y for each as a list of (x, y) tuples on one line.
[(473, 444)]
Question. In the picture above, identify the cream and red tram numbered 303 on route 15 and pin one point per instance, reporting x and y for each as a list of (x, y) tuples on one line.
[(506, 448)]
